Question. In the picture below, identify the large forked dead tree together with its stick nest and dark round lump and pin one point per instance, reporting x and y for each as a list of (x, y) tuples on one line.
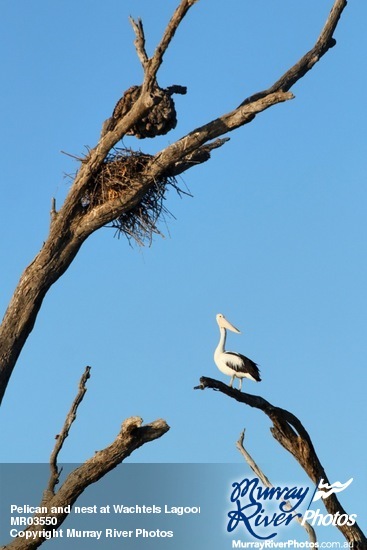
[(131, 200)]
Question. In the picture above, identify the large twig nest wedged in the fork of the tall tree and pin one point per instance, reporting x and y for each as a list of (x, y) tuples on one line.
[(114, 179)]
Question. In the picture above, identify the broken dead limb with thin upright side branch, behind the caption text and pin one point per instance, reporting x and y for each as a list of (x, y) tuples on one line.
[(131, 436)]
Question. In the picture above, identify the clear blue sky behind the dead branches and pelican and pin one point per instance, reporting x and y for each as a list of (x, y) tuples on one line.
[(274, 236)]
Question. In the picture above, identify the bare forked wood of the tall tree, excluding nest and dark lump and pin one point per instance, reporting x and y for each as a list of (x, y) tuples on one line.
[(72, 225)]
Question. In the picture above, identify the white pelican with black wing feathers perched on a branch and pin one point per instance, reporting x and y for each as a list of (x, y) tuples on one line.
[(234, 364)]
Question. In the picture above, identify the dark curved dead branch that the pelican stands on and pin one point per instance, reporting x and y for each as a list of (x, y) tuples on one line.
[(292, 435)]
